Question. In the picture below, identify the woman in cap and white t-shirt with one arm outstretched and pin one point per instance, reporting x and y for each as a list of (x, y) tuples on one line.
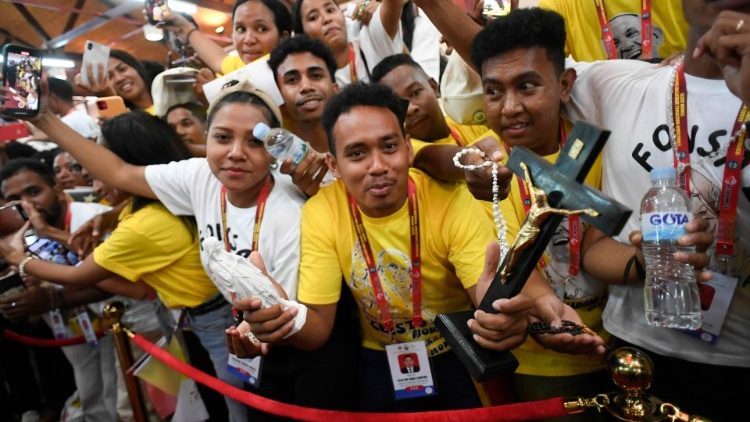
[(222, 192)]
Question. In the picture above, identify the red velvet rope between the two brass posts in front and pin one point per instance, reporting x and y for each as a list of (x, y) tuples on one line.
[(541, 409)]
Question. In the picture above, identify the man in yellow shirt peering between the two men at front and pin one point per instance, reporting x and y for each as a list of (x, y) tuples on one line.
[(426, 124)]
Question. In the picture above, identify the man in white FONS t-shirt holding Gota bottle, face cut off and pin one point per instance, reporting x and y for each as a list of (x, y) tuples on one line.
[(634, 101)]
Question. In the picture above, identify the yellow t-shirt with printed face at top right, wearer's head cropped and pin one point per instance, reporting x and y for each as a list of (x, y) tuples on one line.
[(584, 34)]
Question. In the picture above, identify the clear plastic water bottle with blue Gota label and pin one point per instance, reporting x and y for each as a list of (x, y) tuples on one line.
[(671, 293)]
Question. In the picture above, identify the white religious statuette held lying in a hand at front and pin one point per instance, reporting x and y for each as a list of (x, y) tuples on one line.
[(237, 278)]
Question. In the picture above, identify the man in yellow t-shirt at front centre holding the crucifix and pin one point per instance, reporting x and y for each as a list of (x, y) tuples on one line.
[(362, 228)]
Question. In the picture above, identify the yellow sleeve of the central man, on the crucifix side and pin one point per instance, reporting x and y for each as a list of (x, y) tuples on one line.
[(468, 231)]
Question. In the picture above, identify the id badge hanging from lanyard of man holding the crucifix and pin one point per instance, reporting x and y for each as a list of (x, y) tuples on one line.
[(410, 370)]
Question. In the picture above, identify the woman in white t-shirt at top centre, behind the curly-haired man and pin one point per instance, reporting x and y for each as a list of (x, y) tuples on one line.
[(323, 20)]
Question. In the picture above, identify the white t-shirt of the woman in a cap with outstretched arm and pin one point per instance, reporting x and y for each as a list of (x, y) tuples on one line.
[(189, 188)]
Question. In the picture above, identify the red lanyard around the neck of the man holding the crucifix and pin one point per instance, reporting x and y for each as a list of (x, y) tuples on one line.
[(372, 270)]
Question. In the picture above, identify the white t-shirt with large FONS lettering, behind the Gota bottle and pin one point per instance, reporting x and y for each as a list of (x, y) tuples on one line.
[(637, 95)]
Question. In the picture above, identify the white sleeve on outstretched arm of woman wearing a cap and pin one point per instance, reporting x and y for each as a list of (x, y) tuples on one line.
[(173, 183)]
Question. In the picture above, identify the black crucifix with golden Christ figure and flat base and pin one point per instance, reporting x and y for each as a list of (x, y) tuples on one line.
[(556, 190)]
